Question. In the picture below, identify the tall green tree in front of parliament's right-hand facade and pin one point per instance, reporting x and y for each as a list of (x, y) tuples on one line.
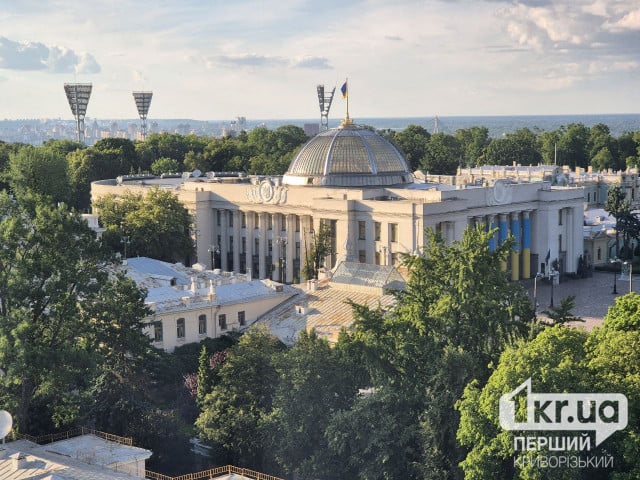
[(458, 311)]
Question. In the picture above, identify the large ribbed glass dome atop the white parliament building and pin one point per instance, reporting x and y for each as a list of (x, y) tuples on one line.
[(348, 156)]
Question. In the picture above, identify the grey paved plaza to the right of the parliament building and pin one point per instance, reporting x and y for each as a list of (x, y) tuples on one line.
[(593, 295)]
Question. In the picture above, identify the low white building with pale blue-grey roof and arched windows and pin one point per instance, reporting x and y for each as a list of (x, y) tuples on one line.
[(190, 304)]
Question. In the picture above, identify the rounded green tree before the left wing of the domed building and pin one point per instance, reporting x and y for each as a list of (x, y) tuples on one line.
[(157, 224)]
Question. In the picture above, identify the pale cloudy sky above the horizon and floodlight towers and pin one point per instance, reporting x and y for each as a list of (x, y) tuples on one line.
[(262, 59)]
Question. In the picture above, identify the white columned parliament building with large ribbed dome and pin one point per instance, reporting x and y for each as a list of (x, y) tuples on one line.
[(359, 184)]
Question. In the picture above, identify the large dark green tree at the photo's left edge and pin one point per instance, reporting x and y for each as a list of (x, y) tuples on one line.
[(50, 259)]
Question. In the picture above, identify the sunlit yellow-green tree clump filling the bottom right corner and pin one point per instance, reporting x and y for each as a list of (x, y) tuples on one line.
[(558, 360)]
